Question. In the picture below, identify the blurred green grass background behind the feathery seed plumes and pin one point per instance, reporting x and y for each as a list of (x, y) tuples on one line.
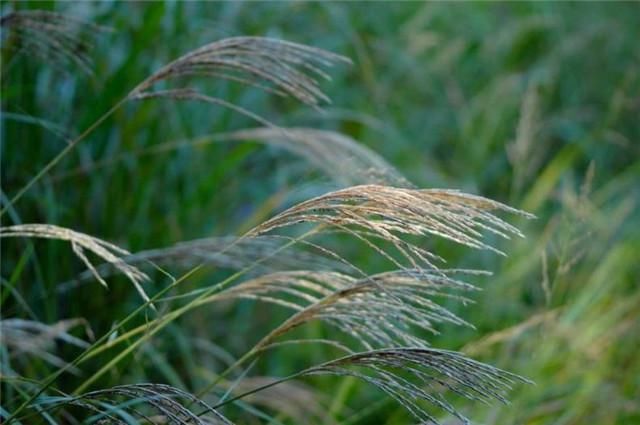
[(533, 104)]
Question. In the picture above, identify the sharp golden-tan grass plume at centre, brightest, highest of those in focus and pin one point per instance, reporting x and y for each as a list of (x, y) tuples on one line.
[(389, 212)]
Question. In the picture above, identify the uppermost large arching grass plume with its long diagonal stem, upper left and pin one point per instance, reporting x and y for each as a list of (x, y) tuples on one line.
[(279, 62)]
